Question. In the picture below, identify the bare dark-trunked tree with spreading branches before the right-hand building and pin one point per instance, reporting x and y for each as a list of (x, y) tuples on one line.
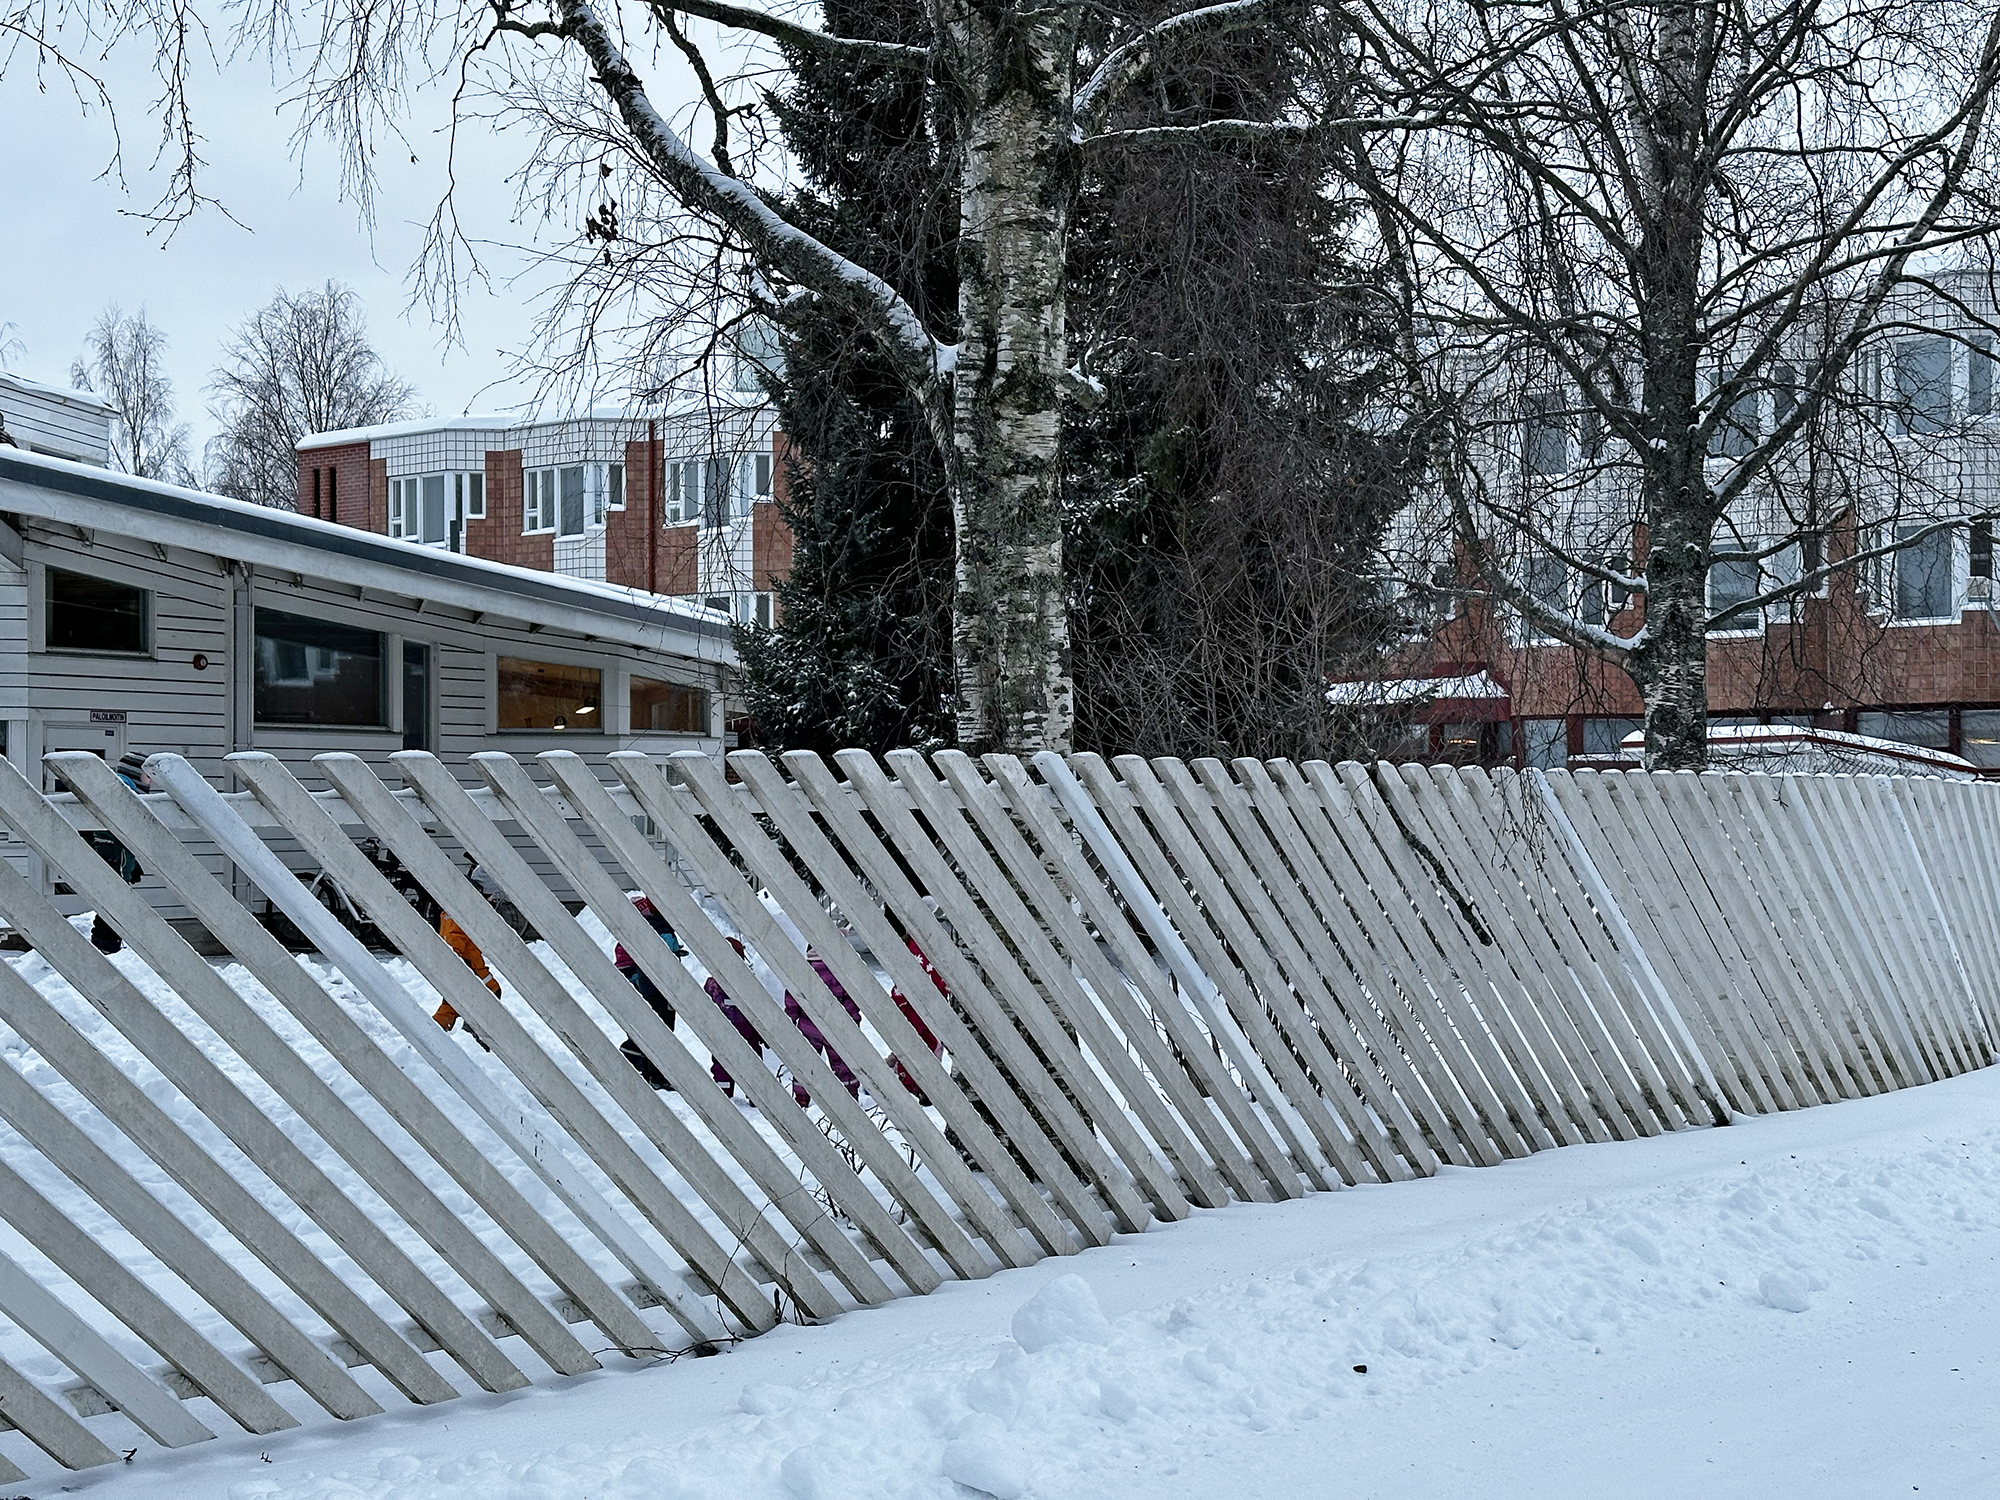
[(1687, 289)]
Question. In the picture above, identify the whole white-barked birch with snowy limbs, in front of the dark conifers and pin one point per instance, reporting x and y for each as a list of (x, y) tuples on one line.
[(1029, 93)]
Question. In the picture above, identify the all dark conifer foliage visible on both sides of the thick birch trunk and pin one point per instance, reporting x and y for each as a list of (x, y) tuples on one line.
[(1223, 501)]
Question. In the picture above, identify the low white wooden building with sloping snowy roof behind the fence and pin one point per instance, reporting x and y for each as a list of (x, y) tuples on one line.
[(143, 617)]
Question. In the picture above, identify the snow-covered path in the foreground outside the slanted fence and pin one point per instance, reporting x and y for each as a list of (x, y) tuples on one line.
[(1605, 1321)]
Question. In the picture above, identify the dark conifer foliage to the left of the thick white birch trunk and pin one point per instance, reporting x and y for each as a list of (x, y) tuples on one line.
[(863, 655)]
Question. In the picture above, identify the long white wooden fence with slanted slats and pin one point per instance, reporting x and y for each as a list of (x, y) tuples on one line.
[(1169, 985)]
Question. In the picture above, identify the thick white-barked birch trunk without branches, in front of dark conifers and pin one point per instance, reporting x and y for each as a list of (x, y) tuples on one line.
[(1011, 643)]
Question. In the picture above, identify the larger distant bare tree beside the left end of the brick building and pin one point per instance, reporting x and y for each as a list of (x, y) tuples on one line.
[(295, 367)]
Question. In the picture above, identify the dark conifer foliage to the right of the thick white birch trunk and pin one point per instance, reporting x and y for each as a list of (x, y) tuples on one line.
[(1231, 493)]
